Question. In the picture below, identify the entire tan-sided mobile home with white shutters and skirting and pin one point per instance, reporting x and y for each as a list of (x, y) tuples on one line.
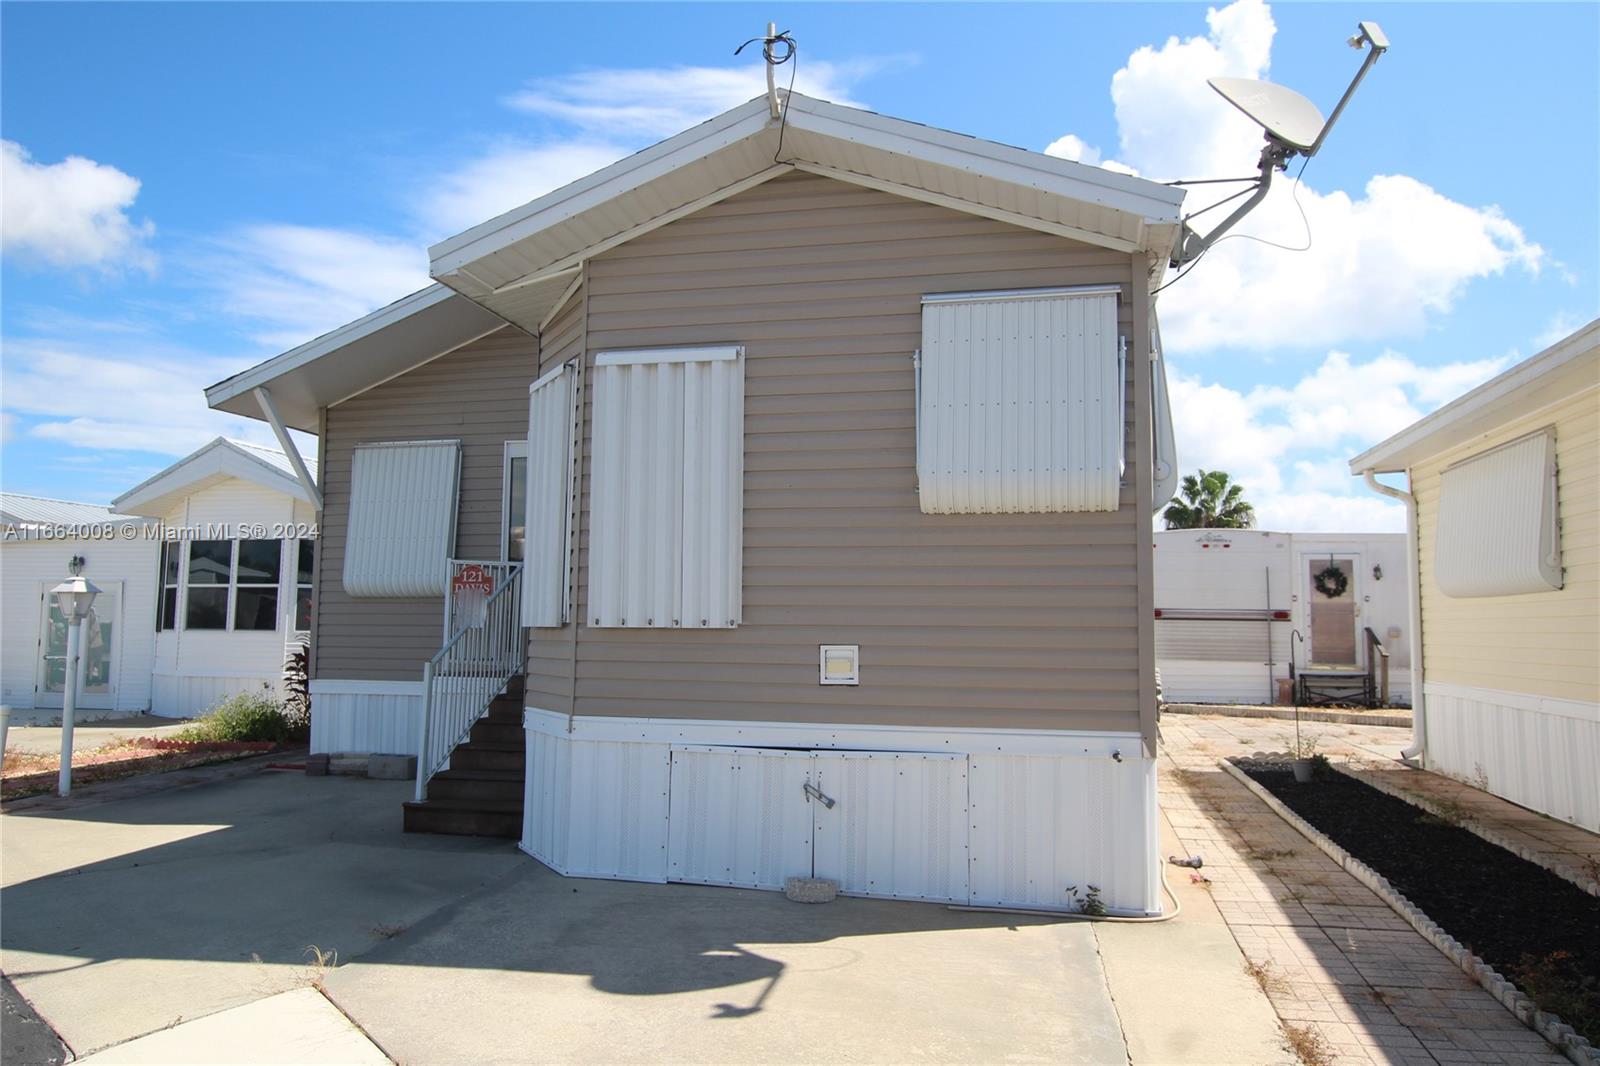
[(830, 449)]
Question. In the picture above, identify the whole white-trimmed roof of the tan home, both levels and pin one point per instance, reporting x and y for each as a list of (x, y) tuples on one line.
[(519, 268)]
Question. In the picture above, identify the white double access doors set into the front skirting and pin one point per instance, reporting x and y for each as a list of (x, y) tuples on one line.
[(881, 824)]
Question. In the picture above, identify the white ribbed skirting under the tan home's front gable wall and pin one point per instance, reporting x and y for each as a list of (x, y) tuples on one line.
[(1007, 819)]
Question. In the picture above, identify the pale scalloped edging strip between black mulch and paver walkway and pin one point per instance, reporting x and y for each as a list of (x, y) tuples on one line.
[(1561, 1035)]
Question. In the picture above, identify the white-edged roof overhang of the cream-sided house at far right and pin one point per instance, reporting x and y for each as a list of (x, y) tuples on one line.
[(1556, 374)]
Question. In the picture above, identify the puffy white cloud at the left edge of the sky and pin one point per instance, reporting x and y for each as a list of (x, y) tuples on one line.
[(73, 214)]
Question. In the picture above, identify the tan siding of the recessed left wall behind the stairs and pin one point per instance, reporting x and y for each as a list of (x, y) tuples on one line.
[(476, 395)]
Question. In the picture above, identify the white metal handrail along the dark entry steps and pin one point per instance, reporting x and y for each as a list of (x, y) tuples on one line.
[(466, 675)]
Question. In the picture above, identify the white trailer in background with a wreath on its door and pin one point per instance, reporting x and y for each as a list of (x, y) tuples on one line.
[(1236, 607)]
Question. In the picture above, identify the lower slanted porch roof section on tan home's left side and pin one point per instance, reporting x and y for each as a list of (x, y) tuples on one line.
[(358, 356)]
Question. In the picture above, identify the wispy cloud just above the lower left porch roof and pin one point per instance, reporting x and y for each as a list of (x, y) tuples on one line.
[(297, 283)]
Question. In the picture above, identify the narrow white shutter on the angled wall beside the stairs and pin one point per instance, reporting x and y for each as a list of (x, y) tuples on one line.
[(550, 499)]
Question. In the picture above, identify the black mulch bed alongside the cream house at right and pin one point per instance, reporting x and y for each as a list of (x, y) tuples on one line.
[(1538, 929)]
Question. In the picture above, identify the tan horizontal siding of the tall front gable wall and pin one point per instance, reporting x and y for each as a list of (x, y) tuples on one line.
[(1004, 622)]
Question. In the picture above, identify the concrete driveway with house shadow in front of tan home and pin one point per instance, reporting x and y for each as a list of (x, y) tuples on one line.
[(124, 918)]
